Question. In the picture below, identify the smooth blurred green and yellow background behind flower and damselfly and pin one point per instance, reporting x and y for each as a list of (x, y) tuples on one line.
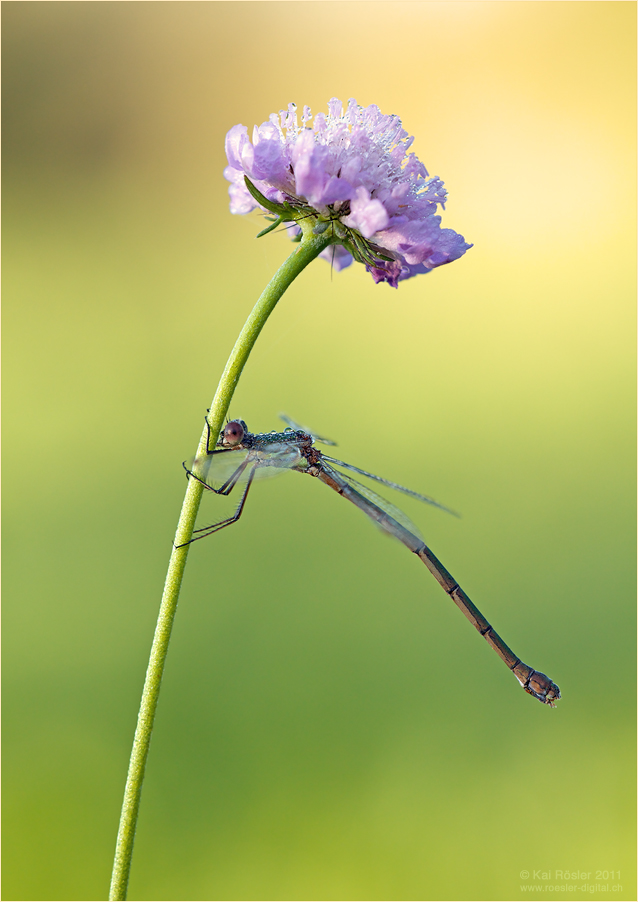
[(330, 726)]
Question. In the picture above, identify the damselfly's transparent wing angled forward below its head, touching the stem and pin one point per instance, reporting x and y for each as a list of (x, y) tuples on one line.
[(219, 467)]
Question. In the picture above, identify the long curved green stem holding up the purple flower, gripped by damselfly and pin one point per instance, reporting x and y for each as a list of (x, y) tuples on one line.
[(309, 248)]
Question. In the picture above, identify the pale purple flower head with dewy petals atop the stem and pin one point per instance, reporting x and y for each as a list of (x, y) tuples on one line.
[(351, 172)]
